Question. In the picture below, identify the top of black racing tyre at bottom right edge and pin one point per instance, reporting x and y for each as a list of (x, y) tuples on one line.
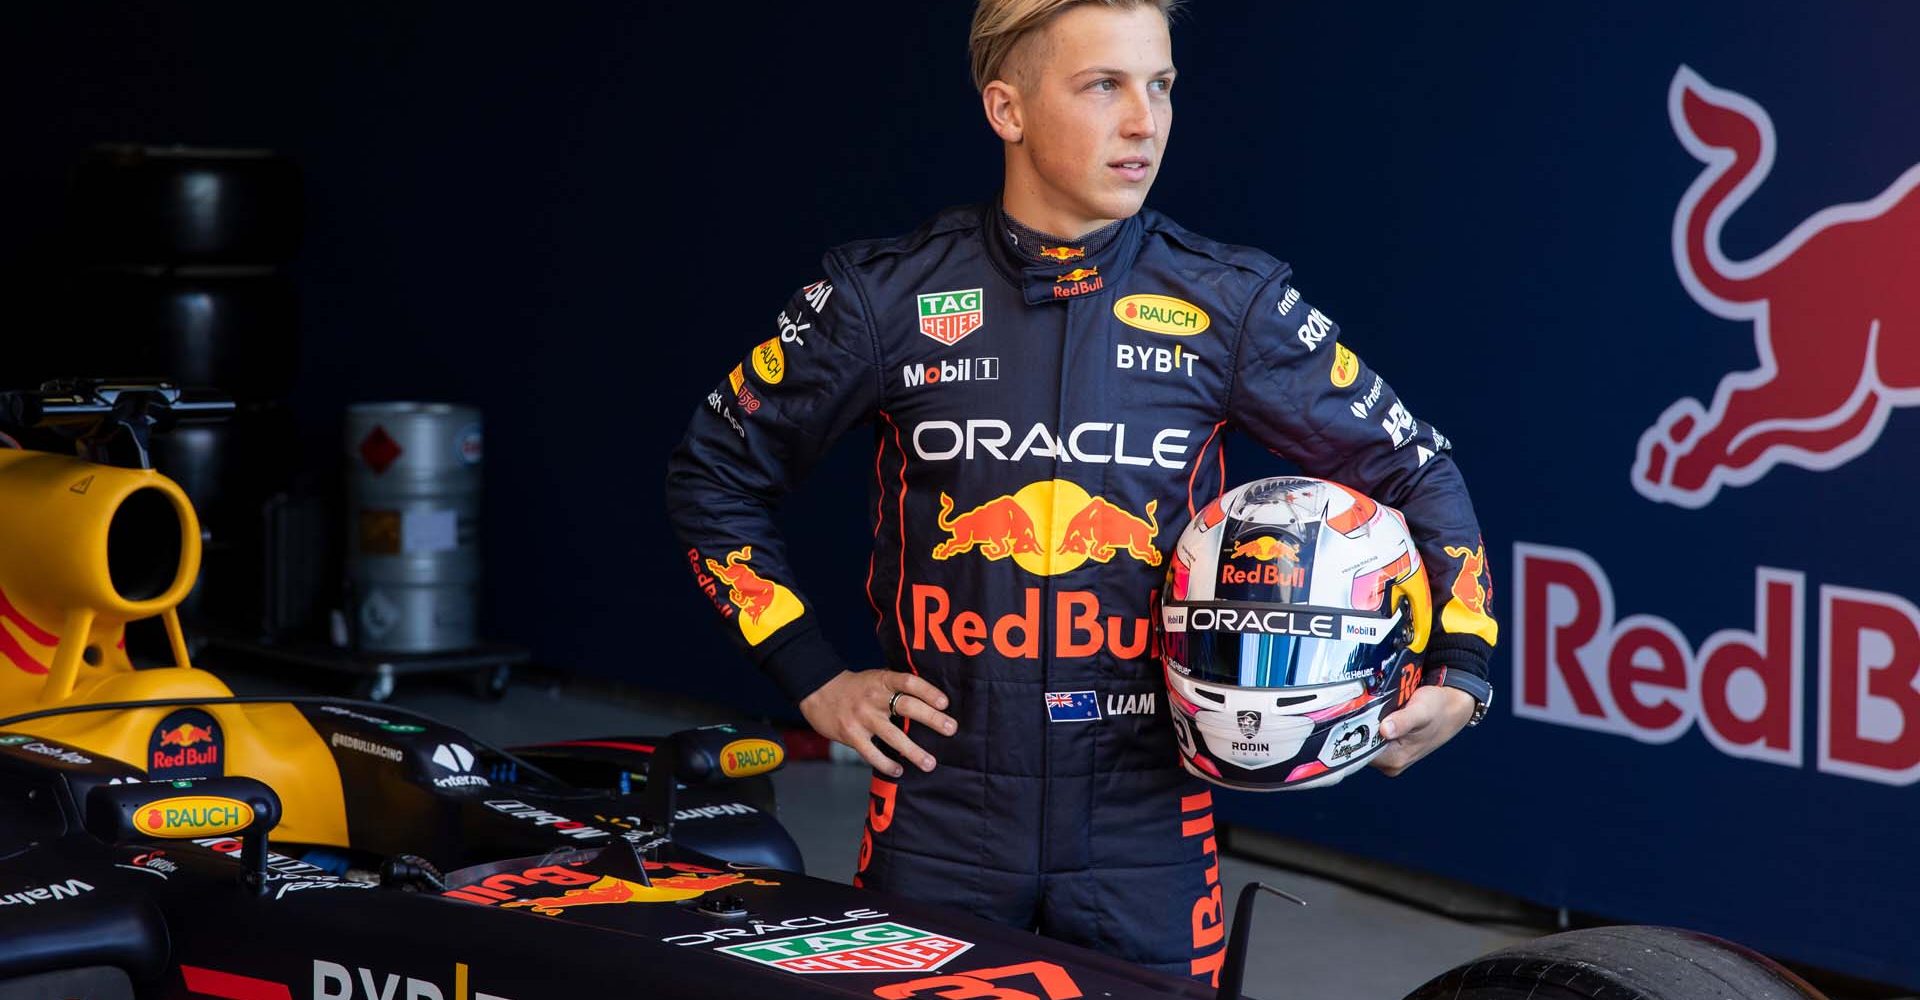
[(1620, 964)]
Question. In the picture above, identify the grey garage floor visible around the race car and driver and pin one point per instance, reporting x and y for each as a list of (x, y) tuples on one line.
[(1347, 945)]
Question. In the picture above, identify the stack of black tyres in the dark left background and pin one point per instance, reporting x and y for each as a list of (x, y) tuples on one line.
[(180, 272)]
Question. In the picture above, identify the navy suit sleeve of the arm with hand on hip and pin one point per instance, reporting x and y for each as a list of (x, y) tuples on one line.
[(750, 442)]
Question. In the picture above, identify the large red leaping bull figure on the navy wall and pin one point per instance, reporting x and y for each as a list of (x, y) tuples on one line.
[(1833, 308)]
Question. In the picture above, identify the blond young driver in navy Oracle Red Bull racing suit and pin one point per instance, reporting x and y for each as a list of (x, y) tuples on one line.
[(1049, 379)]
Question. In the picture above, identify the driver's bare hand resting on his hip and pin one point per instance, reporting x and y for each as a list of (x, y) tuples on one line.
[(861, 705)]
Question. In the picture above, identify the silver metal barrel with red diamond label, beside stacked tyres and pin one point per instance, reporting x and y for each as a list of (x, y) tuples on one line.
[(414, 527)]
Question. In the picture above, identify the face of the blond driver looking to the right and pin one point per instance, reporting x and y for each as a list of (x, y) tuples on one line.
[(1097, 107)]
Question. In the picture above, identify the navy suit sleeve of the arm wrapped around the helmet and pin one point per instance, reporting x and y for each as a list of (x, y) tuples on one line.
[(1305, 394)]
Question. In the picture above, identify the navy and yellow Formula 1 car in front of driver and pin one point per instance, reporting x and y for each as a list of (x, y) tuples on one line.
[(162, 838)]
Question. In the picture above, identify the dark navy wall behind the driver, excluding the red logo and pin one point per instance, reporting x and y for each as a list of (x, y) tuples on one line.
[(581, 216)]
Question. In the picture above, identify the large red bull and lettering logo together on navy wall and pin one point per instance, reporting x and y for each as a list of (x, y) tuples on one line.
[(1831, 310)]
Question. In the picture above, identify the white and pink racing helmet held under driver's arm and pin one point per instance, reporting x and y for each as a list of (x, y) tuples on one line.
[(1293, 621)]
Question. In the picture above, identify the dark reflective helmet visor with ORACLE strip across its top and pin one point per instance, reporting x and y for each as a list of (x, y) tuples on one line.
[(1266, 648)]
